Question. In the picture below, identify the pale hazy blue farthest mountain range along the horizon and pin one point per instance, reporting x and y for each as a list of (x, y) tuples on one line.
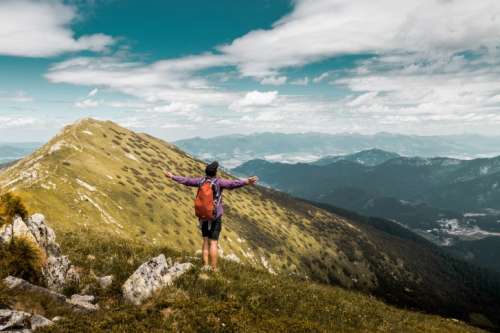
[(233, 150)]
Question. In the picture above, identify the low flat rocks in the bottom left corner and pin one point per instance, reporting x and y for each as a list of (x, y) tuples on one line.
[(19, 321)]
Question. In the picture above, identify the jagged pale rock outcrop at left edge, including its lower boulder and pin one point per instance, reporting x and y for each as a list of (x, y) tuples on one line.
[(57, 271)]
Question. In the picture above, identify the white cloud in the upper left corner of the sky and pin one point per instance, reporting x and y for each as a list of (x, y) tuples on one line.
[(31, 28)]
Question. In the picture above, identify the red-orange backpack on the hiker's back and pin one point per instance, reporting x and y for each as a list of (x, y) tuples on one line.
[(207, 198)]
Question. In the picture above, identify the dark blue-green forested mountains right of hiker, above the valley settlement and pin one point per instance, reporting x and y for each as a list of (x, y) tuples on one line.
[(447, 200)]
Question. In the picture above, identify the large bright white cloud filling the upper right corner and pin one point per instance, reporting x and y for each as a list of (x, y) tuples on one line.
[(317, 29)]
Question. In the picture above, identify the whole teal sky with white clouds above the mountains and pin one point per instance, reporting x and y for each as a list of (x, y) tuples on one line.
[(179, 69)]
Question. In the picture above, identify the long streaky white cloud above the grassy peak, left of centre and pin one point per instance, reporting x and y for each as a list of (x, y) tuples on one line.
[(163, 81)]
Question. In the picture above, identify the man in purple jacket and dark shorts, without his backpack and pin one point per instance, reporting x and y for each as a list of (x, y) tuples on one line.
[(211, 228)]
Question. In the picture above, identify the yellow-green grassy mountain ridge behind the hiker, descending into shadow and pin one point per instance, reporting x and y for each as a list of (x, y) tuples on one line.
[(98, 177)]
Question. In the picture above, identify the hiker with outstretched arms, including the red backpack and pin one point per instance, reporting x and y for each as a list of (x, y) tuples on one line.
[(208, 206)]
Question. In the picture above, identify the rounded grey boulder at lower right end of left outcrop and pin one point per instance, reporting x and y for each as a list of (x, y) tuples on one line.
[(58, 272)]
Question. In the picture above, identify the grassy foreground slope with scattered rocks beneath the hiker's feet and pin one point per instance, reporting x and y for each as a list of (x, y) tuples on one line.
[(239, 299)]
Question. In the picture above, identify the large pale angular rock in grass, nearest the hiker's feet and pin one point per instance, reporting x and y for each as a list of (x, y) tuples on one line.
[(151, 277)]
